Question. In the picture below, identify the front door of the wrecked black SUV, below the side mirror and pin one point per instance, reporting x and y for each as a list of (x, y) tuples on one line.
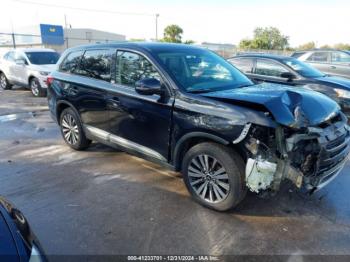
[(138, 120)]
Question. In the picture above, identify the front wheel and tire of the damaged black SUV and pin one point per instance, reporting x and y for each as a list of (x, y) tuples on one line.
[(223, 179)]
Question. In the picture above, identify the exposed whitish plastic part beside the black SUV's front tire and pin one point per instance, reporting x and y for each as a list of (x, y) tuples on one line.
[(259, 174)]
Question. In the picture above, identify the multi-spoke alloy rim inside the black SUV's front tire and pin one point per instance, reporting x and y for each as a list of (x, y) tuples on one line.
[(208, 178)]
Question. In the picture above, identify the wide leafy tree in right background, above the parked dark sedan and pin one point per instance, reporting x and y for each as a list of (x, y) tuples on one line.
[(268, 38)]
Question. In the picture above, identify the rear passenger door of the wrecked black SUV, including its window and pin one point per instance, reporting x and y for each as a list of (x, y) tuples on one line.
[(87, 79)]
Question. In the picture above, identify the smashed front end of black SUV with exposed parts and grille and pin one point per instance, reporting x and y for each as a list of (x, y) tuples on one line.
[(310, 156)]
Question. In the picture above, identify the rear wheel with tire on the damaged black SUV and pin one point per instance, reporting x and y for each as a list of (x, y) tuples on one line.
[(72, 130)]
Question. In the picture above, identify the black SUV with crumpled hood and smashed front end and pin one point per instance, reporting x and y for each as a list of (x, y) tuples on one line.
[(189, 109)]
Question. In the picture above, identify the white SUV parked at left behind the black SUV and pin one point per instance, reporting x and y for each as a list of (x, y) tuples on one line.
[(27, 67)]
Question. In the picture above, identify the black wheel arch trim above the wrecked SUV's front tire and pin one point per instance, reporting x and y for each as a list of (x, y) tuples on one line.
[(189, 140)]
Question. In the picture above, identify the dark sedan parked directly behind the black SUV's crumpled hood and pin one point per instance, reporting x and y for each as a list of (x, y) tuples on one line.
[(290, 71)]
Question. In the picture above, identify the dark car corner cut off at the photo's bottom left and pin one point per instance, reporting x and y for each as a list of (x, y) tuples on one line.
[(17, 241)]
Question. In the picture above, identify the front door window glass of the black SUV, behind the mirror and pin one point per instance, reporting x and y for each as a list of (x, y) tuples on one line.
[(132, 67)]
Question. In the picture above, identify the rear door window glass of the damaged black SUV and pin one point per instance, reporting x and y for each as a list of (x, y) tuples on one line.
[(96, 64)]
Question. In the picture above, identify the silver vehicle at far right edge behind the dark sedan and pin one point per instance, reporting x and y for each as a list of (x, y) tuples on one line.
[(333, 62)]
